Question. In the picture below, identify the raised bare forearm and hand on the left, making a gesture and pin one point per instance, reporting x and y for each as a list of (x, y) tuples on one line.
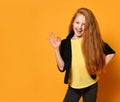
[(56, 42)]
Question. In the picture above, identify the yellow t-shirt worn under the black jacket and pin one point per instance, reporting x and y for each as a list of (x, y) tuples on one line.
[(79, 76)]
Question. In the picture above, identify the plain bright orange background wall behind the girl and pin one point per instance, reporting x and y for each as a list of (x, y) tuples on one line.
[(28, 71)]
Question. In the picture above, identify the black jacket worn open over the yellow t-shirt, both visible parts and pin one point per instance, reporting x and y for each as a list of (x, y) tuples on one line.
[(66, 55)]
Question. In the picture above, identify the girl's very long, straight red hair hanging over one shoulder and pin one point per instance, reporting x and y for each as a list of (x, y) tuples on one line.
[(92, 45)]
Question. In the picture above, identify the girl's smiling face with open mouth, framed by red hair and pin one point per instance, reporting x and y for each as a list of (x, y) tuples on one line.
[(79, 25)]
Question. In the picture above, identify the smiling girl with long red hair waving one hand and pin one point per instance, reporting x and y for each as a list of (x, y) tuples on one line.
[(83, 55)]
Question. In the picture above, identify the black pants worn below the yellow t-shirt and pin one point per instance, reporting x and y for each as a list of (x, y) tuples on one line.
[(89, 94)]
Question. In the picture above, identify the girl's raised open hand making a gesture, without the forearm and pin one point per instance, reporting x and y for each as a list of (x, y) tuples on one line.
[(55, 41)]
